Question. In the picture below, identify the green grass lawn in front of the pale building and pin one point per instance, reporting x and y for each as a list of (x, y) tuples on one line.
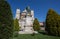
[(36, 36)]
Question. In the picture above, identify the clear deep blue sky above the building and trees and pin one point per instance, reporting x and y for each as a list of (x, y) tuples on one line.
[(40, 7)]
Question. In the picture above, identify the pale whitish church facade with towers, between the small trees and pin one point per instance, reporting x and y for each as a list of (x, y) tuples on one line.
[(25, 19)]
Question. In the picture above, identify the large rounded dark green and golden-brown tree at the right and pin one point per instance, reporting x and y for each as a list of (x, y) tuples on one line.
[(52, 22)]
